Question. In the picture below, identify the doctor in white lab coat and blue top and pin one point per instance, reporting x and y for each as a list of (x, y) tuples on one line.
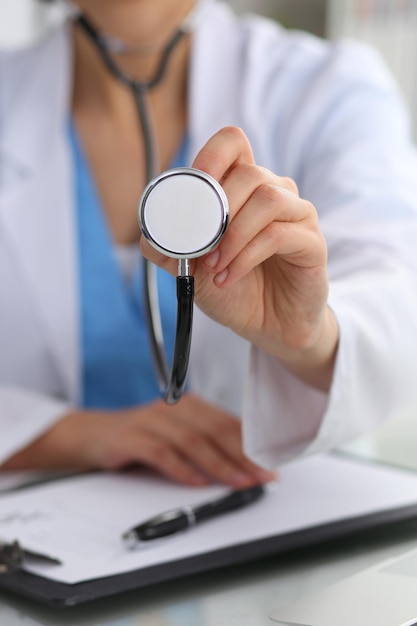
[(307, 309)]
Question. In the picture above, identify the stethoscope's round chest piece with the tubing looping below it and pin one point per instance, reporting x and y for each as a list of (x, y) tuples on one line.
[(183, 213)]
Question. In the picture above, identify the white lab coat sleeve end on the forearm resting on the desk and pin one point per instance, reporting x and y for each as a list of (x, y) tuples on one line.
[(24, 416)]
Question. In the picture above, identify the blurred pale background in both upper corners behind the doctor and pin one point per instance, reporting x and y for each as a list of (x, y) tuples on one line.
[(389, 25)]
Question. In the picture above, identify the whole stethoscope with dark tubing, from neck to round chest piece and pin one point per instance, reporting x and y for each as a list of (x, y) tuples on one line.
[(183, 213)]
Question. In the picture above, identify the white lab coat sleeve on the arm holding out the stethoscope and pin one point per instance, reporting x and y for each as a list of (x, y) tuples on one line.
[(358, 166)]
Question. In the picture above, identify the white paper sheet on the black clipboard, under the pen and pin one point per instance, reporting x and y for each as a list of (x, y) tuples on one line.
[(80, 519)]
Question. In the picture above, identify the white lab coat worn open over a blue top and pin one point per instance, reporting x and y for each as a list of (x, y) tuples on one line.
[(329, 116)]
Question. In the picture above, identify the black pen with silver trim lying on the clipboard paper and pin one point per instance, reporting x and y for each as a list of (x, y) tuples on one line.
[(177, 520)]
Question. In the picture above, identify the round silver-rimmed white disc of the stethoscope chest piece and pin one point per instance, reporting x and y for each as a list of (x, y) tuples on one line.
[(183, 213)]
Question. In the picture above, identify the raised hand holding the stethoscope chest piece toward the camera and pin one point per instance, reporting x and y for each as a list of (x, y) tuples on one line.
[(267, 279)]
